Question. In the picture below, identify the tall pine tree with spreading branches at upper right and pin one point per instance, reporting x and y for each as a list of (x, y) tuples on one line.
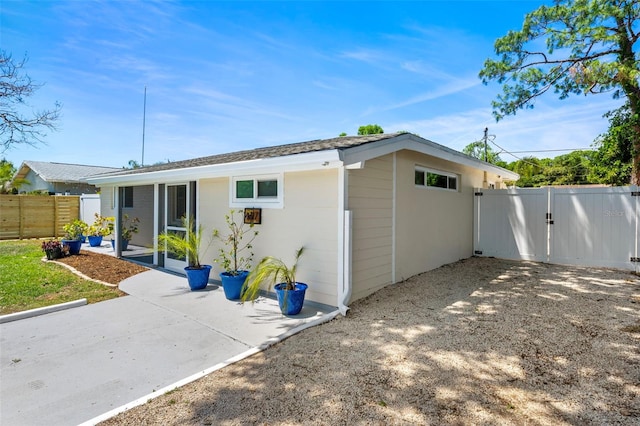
[(572, 47)]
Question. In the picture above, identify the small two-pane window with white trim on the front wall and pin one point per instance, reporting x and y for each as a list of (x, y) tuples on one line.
[(256, 191)]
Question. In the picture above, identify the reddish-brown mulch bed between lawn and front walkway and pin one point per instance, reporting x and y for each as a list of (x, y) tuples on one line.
[(102, 267)]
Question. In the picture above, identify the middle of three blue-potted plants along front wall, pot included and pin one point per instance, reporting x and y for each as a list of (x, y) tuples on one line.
[(235, 264)]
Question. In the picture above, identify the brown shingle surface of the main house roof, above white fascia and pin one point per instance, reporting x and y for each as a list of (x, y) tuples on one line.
[(341, 142)]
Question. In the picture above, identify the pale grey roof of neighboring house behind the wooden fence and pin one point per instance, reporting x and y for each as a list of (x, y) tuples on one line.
[(61, 172)]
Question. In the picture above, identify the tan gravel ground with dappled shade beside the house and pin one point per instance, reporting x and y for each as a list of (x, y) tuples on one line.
[(480, 341)]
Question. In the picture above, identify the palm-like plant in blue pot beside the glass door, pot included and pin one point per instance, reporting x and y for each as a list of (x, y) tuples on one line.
[(186, 245)]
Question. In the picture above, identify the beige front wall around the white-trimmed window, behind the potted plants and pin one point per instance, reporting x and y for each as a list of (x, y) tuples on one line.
[(309, 218)]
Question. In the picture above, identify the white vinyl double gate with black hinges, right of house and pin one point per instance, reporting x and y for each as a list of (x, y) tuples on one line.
[(575, 226)]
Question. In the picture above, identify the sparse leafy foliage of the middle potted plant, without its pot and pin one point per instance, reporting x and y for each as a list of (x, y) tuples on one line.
[(230, 257)]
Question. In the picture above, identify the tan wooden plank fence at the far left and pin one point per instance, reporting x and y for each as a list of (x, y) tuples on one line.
[(36, 216)]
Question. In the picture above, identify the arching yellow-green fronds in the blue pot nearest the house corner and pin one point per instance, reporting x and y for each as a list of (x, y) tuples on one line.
[(271, 271)]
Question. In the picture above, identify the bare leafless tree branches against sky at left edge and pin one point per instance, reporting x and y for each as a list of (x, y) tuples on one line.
[(19, 124)]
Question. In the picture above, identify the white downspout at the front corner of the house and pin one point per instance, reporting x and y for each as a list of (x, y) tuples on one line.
[(344, 245)]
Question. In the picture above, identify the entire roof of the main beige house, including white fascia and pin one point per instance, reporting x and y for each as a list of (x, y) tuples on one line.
[(315, 154)]
